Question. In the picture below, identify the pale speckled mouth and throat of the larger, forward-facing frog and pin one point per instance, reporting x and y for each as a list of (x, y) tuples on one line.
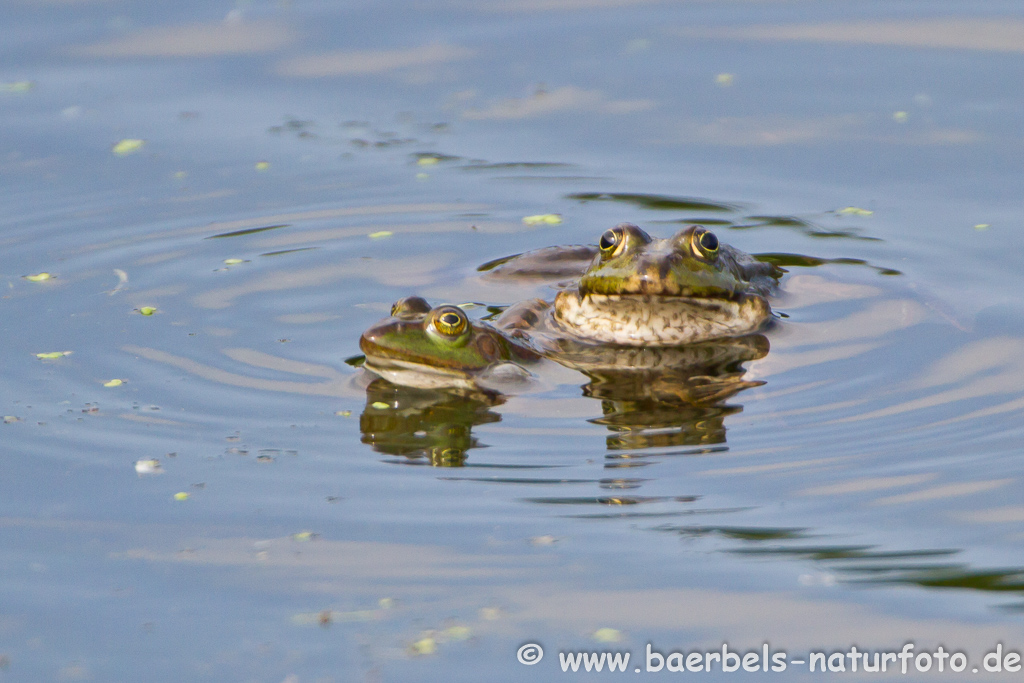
[(637, 320)]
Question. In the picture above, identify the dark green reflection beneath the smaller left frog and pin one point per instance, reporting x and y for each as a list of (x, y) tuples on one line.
[(431, 426)]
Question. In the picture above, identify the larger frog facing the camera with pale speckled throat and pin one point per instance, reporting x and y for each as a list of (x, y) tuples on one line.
[(641, 291)]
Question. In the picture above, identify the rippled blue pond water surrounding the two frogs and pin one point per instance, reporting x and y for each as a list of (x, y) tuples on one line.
[(226, 196)]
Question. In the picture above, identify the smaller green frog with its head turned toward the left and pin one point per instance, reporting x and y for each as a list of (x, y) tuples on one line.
[(429, 349)]
